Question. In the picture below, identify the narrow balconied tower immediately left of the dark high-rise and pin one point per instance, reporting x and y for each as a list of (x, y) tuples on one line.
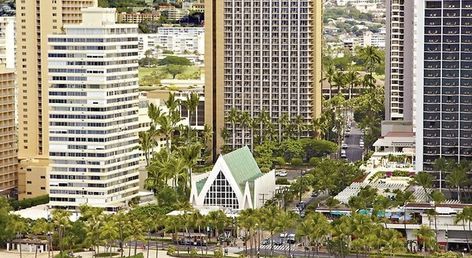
[(399, 58)]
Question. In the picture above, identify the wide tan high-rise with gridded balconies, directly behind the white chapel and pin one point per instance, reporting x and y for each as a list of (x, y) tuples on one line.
[(261, 55)]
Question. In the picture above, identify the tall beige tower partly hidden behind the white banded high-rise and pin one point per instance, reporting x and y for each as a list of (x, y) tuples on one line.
[(35, 20)]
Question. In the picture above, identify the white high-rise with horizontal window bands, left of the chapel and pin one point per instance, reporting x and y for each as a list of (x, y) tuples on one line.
[(93, 112)]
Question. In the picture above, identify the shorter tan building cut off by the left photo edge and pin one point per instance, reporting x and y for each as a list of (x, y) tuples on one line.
[(8, 158)]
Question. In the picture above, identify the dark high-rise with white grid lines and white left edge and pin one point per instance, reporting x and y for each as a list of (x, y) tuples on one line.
[(444, 103)]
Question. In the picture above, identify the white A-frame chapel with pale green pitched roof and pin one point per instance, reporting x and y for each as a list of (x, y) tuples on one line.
[(235, 182)]
